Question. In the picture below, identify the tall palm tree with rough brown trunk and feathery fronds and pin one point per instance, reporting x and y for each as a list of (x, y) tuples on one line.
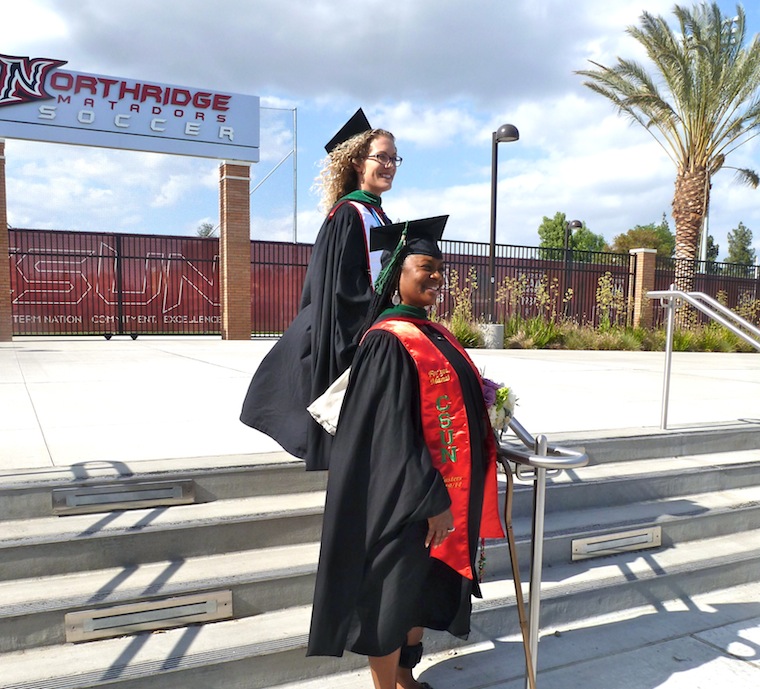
[(700, 104)]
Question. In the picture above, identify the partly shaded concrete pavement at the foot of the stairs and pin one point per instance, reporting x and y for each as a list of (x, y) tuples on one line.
[(636, 646)]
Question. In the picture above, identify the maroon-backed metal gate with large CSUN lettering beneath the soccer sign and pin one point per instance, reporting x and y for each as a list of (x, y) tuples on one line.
[(84, 283)]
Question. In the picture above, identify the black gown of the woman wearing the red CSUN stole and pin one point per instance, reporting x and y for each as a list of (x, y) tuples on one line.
[(376, 580)]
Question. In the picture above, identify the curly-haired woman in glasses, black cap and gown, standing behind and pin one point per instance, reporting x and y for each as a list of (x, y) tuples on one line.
[(320, 343)]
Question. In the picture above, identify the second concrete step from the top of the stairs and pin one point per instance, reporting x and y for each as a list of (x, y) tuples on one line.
[(58, 545)]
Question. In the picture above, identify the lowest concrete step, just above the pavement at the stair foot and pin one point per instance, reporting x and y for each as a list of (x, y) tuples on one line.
[(268, 649)]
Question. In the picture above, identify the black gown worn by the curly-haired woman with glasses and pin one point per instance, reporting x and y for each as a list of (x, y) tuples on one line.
[(318, 345)]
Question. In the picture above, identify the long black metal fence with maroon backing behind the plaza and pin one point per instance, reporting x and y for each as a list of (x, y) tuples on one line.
[(83, 283)]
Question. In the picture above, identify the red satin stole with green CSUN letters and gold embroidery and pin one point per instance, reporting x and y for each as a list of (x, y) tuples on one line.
[(446, 431)]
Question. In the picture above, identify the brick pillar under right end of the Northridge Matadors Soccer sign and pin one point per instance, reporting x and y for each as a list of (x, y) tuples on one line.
[(235, 250)]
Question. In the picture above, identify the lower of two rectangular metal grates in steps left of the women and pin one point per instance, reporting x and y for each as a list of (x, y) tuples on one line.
[(102, 623)]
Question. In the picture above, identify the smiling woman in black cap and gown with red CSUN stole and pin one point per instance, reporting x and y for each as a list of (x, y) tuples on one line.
[(412, 483)]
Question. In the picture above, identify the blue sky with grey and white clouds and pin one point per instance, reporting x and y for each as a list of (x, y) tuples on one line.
[(441, 74)]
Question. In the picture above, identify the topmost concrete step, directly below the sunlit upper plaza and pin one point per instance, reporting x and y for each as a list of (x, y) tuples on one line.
[(28, 494)]
